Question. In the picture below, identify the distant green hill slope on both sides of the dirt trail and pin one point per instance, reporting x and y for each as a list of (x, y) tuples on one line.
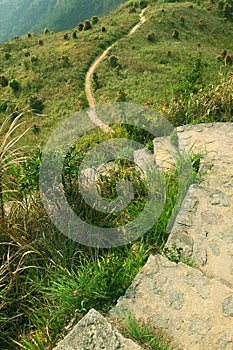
[(152, 67)]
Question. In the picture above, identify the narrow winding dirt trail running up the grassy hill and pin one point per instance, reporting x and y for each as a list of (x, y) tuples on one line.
[(88, 90)]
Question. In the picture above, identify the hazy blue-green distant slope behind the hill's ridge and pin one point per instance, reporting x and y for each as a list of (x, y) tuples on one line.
[(17, 17)]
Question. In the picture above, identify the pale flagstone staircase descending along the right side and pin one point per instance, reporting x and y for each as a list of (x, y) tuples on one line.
[(193, 305)]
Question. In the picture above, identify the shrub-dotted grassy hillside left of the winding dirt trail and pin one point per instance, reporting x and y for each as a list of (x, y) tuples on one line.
[(54, 72)]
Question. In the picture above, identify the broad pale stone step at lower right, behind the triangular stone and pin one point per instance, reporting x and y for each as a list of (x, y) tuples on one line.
[(197, 312)]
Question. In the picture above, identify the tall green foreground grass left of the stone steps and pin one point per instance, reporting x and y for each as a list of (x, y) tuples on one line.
[(48, 280)]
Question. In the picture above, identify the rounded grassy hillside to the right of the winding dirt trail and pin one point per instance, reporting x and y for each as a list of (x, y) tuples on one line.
[(160, 66)]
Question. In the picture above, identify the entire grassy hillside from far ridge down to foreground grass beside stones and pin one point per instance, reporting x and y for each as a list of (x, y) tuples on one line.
[(179, 62)]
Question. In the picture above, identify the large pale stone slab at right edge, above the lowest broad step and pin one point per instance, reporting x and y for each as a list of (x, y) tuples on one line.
[(204, 225)]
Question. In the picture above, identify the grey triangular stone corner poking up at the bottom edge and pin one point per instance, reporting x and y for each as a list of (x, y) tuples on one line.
[(94, 332)]
